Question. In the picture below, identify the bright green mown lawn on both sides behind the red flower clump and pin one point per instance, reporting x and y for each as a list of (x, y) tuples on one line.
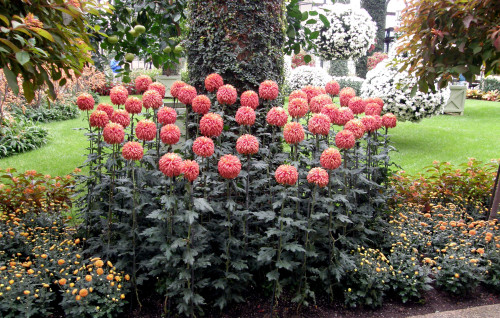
[(444, 138)]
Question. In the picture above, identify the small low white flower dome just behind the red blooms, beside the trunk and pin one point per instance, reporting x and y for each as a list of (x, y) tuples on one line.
[(307, 75)]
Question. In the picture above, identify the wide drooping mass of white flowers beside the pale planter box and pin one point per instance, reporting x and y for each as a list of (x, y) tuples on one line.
[(394, 88)]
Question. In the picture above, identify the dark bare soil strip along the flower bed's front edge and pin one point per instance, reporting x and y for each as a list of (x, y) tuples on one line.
[(434, 301)]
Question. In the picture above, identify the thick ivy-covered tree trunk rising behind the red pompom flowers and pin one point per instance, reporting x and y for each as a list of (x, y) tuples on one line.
[(240, 40)]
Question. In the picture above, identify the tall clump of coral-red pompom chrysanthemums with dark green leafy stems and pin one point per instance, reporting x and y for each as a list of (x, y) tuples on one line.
[(245, 196)]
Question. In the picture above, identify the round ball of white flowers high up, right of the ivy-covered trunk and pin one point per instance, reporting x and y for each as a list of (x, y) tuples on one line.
[(350, 35)]
